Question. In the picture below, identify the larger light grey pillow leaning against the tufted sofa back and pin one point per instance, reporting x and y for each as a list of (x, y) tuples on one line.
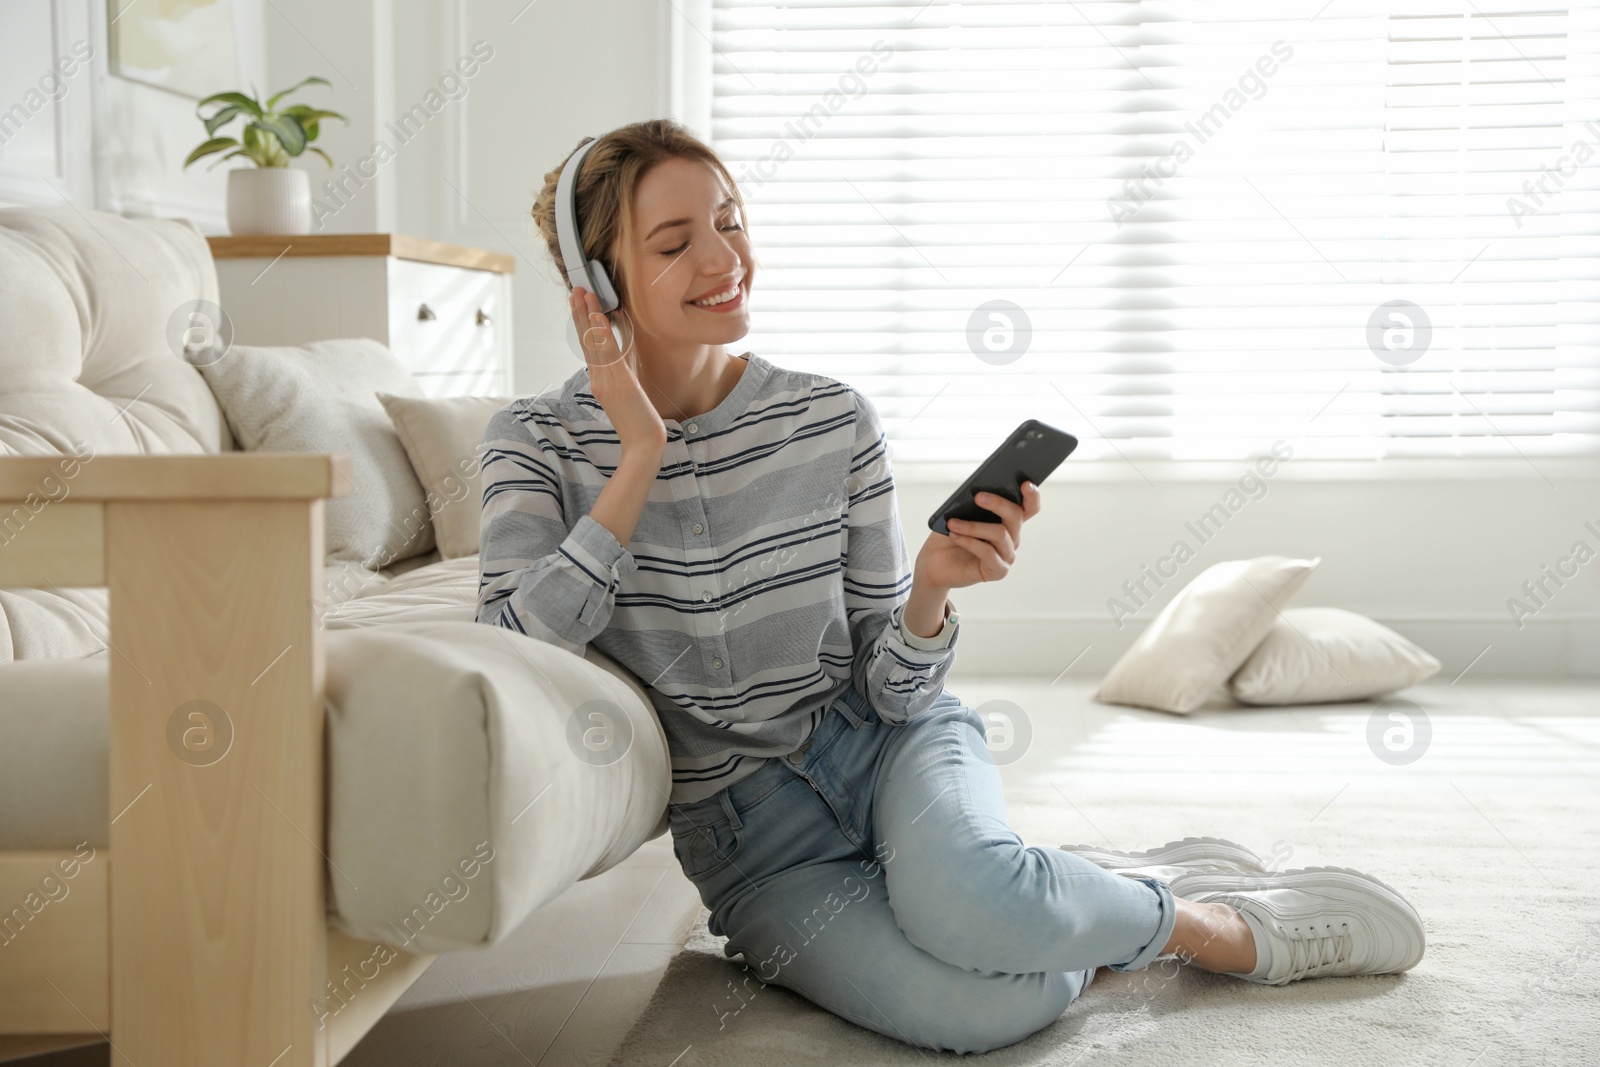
[(324, 398)]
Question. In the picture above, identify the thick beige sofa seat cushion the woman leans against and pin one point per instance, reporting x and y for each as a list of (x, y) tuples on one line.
[(473, 775)]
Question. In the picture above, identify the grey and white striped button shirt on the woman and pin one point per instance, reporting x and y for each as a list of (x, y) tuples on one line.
[(766, 575)]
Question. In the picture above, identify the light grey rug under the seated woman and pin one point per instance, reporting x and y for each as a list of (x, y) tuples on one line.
[(1505, 879)]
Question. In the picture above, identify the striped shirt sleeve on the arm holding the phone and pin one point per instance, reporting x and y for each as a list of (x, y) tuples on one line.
[(900, 673)]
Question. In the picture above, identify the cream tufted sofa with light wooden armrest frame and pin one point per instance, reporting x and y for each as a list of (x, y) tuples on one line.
[(378, 778)]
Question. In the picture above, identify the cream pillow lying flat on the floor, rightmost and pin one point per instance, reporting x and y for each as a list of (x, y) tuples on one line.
[(1324, 655)]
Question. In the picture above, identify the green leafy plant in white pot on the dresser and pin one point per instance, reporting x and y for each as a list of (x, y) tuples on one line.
[(270, 198)]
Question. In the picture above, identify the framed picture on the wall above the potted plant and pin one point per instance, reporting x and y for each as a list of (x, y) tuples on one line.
[(185, 47)]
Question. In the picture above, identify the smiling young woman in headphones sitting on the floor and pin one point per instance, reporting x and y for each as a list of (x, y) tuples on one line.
[(727, 530)]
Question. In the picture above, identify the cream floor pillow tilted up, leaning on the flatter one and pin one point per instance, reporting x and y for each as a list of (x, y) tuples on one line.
[(1207, 631)]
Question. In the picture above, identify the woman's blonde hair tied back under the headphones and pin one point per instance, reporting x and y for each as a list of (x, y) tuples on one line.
[(606, 188)]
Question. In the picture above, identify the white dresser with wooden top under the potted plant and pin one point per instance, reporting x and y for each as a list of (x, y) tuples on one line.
[(442, 310)]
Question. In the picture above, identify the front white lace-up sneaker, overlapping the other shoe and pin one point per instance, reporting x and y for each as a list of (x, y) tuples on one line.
[(1318, 922)]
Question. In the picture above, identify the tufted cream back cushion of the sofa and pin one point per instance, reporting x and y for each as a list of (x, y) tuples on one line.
[(87, 367)]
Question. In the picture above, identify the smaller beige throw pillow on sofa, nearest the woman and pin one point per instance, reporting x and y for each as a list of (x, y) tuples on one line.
[(444, 438)]
